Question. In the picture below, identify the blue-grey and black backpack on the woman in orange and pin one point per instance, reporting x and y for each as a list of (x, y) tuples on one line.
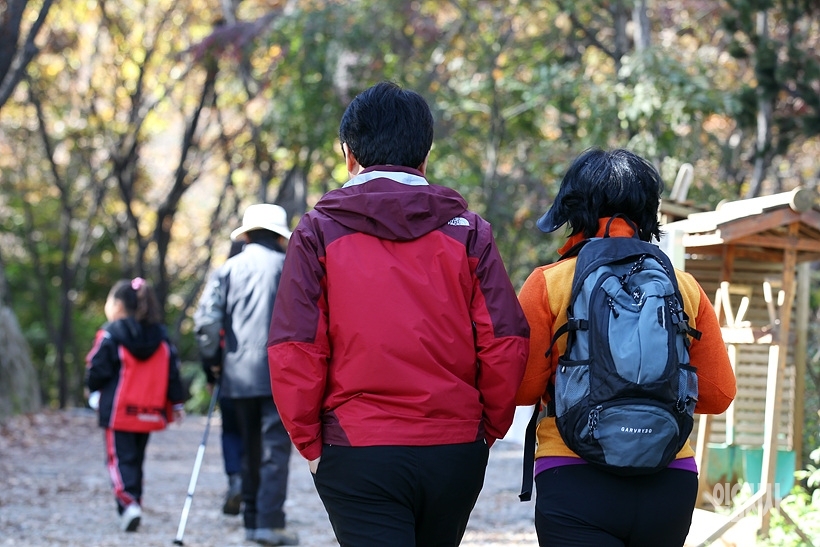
[(624, 393)]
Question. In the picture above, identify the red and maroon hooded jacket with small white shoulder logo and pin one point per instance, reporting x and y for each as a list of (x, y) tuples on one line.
[(395, 322)]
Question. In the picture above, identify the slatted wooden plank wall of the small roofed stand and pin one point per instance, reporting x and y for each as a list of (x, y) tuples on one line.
[(748, 410)]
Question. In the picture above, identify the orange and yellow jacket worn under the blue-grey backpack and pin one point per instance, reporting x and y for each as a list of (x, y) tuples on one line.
[(545, 298)]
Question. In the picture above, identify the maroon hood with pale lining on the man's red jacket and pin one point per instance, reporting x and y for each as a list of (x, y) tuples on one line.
[(392, 203)]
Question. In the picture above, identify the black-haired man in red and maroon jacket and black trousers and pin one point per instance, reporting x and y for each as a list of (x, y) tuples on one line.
[(397, 341)]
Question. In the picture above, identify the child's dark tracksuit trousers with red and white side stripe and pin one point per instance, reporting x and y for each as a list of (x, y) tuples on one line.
[(125, 456)]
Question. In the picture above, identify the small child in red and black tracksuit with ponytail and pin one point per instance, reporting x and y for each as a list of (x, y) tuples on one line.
[(134, 367)]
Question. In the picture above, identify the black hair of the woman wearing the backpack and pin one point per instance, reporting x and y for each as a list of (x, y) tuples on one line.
[(601, 184)]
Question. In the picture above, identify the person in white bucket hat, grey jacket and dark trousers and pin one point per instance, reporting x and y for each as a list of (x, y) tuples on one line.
[(238, 303)]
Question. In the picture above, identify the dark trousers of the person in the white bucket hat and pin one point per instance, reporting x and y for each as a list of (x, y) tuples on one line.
[(265, 461)]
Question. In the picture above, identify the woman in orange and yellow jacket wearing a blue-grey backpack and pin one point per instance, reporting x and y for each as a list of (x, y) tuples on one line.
[(619, 493)]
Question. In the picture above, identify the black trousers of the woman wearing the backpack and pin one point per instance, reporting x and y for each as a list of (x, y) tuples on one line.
[(579, 506)]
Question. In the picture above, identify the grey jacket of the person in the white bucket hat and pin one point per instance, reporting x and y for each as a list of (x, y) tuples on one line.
[(237, 304)]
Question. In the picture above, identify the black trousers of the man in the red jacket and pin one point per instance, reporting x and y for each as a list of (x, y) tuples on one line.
[(402, 496)]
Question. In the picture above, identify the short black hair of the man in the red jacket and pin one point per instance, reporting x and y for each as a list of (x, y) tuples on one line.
[(388, 125)]
